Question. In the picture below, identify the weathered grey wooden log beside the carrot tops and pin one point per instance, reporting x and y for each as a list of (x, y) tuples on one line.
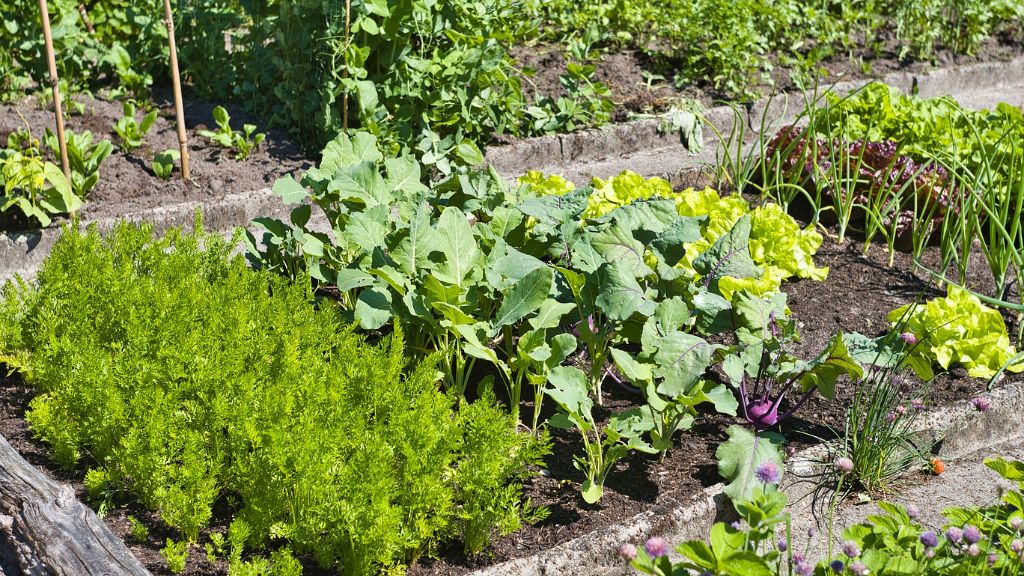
[(46, 530)]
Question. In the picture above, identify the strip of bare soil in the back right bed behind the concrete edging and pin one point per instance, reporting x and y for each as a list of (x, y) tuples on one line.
[(627, 72)]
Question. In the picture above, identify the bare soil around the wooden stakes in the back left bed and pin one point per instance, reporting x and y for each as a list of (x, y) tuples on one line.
[(127, 183)]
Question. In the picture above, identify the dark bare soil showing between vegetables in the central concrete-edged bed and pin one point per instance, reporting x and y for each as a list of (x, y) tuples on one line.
[(860, 293)]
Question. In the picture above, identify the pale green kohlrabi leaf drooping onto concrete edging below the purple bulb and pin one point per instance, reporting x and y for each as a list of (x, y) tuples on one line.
[(741, 456)]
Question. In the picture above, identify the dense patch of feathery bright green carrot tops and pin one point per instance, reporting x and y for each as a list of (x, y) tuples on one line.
[(175, 373)]
